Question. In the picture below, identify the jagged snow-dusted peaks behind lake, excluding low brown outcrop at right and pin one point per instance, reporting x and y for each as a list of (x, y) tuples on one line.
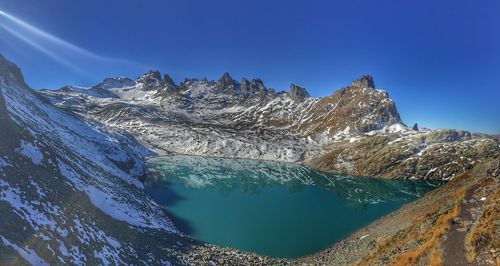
[(227, 118)]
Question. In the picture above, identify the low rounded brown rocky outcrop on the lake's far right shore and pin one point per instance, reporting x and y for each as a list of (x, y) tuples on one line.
[(406, 156)]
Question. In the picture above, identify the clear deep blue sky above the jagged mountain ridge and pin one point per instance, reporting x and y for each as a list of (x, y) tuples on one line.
[(439, 60)]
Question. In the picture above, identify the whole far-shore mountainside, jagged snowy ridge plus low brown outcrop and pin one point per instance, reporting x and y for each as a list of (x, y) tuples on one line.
[(356, 130)]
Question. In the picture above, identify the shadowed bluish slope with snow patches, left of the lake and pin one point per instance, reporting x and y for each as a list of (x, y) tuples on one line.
[(70, 190)]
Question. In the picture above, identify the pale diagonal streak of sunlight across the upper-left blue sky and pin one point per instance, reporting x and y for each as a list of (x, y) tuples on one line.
[(29, 34)]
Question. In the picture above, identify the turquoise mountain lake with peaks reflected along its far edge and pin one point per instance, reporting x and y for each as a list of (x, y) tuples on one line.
[(274, 209)]
